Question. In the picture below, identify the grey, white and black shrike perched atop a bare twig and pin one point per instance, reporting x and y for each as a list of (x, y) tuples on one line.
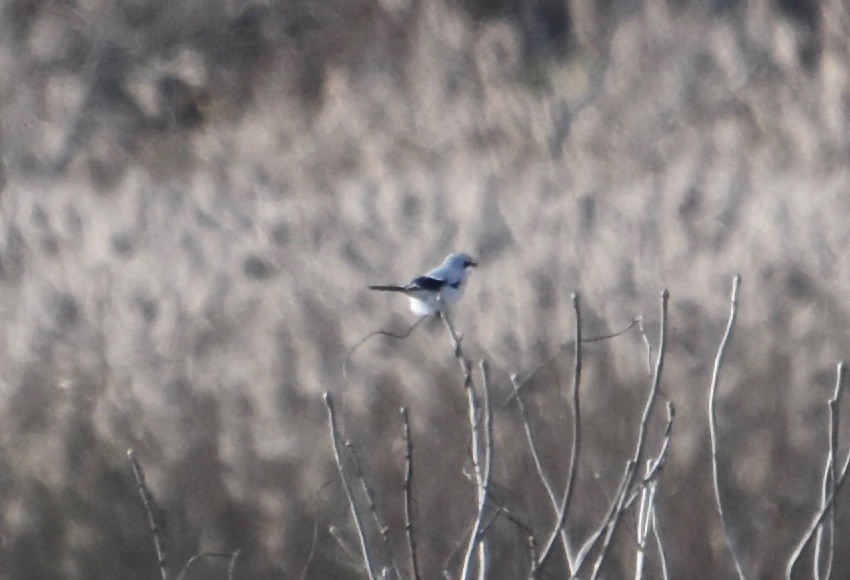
[(439, 288)]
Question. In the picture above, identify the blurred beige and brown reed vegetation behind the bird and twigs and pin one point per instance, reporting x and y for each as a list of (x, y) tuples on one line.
[(195, 194)]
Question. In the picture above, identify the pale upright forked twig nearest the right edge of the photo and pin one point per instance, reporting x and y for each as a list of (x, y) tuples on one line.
[(826, 532)]
